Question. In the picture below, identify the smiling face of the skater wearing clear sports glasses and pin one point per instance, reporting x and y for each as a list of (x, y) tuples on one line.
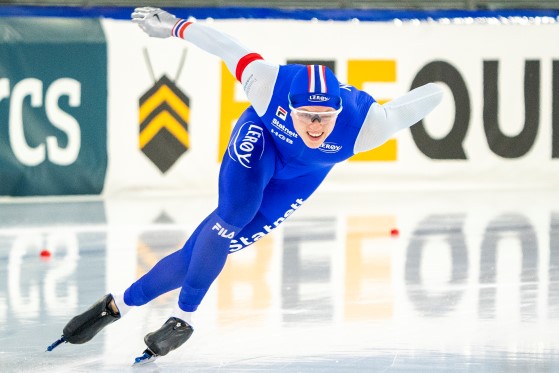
[(314, 123)]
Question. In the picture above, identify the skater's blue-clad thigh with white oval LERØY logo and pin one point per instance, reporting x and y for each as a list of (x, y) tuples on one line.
[(247, 167)]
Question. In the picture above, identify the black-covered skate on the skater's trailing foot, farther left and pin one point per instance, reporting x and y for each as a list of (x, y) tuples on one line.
[(85, 326)]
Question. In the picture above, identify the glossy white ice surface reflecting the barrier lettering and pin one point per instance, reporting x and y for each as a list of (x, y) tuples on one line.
[(470, 284)]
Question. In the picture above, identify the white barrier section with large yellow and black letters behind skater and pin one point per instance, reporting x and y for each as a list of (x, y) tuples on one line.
[(498, 124)]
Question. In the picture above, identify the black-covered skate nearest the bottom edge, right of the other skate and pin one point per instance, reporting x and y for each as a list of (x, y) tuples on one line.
[(169, 337)]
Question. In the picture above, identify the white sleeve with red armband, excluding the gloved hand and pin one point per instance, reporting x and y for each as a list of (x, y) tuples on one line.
[(257, 76)]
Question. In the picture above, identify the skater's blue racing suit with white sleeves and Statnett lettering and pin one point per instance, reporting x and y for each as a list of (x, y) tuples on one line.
[(268, 172)]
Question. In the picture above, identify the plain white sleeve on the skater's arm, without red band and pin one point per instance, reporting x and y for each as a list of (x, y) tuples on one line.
[(383, 121)]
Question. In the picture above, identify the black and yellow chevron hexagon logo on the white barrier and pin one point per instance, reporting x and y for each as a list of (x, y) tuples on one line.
[(164, 115)]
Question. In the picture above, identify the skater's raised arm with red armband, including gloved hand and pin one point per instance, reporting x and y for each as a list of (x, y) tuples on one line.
[(256, 75)]
